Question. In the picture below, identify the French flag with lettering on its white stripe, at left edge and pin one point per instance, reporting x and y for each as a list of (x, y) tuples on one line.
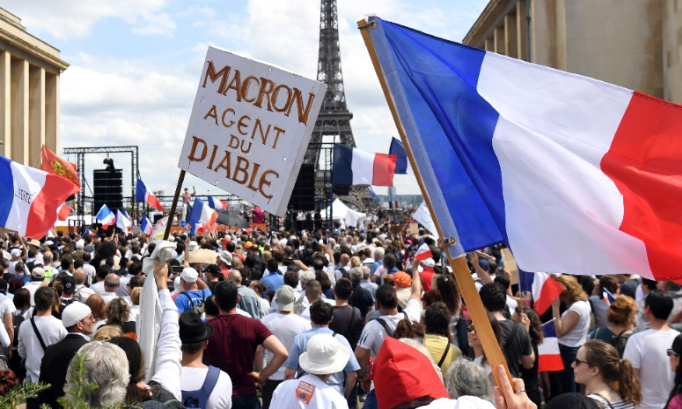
[(30, 198)]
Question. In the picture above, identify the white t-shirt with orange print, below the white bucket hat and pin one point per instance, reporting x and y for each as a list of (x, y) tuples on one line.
[(307, 392)]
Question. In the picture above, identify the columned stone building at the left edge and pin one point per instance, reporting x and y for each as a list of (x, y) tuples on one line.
[(29, 92)]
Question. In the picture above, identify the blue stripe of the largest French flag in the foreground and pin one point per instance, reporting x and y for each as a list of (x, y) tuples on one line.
[(433, 82)]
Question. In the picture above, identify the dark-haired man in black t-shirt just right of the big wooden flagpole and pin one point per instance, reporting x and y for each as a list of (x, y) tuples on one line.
[(515, 342)]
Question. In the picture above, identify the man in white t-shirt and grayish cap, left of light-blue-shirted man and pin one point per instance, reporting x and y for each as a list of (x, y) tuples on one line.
[(285, 325)]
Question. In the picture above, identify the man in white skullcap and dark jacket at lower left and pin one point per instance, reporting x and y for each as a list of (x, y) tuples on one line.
[(78, 320)]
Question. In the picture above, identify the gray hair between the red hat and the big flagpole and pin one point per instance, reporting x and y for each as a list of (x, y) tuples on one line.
[(465, 378)]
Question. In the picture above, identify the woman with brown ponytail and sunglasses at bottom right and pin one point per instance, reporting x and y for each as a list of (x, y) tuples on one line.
[(608, 380)]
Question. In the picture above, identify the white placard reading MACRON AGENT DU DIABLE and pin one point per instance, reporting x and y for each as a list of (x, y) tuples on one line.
[(250, 127)]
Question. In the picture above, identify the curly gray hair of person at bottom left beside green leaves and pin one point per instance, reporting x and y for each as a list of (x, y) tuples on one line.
[(106, 365)]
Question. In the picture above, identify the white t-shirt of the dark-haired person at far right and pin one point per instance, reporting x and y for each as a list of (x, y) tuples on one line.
[(647, 352)]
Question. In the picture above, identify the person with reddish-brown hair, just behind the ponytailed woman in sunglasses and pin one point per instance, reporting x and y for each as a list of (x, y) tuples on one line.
[(621, 315)]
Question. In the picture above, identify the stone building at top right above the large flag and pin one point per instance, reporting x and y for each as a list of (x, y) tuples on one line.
[(632, 43)]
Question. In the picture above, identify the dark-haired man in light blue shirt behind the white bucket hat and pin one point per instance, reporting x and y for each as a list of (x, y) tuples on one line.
[(321, 315)]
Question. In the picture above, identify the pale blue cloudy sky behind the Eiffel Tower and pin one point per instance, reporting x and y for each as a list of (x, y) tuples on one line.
[(135, 67)]
